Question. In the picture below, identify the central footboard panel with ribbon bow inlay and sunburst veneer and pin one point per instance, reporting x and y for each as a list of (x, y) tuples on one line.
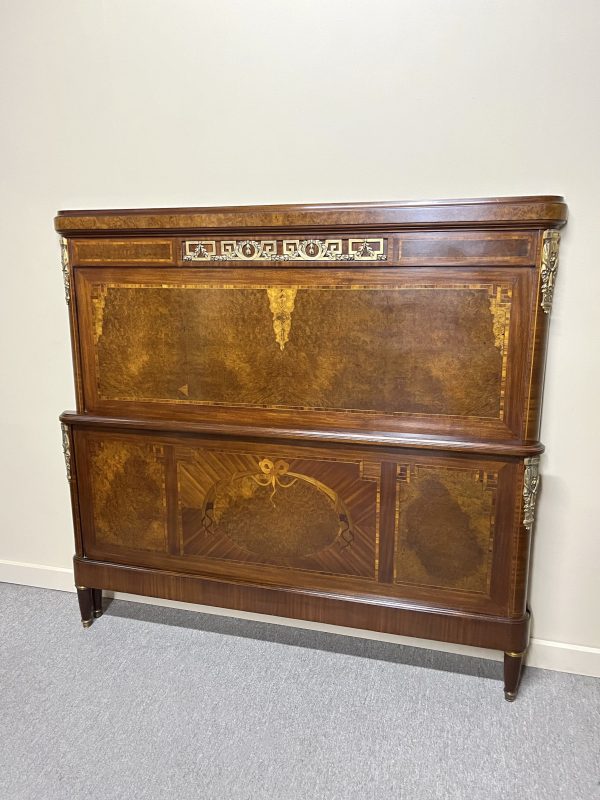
[(299, 513)]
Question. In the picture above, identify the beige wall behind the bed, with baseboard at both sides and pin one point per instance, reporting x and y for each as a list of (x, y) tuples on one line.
[(184, 102)]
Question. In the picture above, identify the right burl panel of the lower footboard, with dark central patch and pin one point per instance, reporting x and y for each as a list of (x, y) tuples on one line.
[(445, 521)]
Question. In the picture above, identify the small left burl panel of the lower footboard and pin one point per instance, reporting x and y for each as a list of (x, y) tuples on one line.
[(127, 481)]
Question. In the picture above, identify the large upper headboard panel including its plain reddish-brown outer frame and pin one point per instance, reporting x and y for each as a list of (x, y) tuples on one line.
[(192, 343)]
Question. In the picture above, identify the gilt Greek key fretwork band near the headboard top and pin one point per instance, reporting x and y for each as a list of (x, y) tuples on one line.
[(286, 250)]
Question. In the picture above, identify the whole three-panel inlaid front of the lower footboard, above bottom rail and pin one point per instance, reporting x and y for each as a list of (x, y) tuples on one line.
[(431, 528)]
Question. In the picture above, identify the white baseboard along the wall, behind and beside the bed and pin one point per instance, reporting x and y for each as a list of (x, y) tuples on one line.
[(559, 656)]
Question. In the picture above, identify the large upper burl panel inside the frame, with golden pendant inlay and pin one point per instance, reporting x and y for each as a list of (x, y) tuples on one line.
[(403, 347)]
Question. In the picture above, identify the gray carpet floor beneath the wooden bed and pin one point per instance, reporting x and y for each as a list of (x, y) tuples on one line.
[(155, 703)]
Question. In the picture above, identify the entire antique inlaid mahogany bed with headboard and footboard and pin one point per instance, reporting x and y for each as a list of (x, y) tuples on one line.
[(326, 412)]
